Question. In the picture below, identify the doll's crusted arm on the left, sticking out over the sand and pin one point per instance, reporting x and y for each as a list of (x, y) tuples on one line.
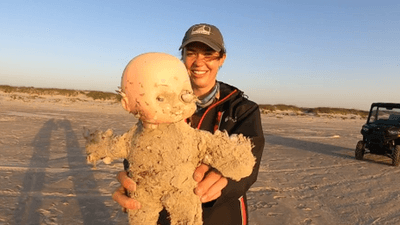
[(106, 145)]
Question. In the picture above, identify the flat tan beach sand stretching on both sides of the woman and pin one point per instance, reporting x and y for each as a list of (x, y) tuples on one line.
[(308, 173)]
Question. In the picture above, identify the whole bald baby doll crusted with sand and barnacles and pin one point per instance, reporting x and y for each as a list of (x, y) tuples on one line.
[(162, 149)]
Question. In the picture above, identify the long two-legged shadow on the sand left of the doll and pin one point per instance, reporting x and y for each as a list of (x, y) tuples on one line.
[(93, 210)]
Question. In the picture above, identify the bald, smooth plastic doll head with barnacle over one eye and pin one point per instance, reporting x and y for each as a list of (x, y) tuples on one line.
[(156, 88)]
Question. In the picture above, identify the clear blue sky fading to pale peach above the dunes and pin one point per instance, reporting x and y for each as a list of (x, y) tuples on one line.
[(304, 53)]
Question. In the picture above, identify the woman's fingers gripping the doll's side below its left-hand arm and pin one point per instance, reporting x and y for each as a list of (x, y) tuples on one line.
[(120, 195)]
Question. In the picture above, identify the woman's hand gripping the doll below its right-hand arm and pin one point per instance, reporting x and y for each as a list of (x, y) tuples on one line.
[(210, 183)]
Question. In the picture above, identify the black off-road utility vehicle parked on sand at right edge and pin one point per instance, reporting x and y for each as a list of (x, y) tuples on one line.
[(381, 133)]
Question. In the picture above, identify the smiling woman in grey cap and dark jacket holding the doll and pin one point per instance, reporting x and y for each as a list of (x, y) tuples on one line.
[(221, 107)]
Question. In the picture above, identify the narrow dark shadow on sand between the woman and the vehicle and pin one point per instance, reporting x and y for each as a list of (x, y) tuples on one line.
[(308, 146)]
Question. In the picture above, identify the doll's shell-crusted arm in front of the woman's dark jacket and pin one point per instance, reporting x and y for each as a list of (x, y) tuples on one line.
[(230, 155)]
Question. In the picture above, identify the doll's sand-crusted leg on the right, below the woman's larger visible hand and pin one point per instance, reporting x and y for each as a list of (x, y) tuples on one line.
[(184, 208)]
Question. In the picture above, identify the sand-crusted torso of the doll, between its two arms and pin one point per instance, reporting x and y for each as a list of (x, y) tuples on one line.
[(164, 157)]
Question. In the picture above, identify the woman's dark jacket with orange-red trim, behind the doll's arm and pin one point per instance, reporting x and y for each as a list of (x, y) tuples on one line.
[(236, 114)]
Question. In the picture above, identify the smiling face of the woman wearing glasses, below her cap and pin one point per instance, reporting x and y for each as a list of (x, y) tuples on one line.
[(202, 63)]
